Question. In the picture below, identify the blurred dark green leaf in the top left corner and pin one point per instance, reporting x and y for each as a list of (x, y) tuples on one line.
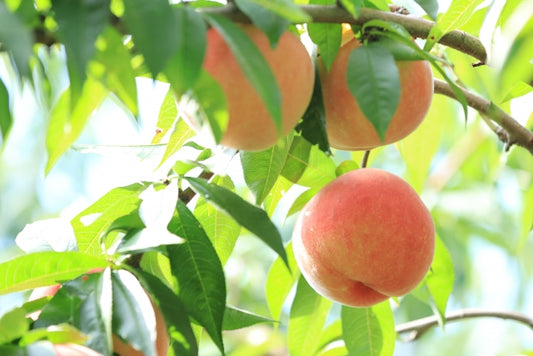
[(16, 39)]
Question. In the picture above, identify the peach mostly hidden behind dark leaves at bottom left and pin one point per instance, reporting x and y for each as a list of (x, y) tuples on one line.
[(119, 346)]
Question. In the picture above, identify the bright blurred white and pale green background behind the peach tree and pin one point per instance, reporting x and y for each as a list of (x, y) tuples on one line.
[(481, 198)]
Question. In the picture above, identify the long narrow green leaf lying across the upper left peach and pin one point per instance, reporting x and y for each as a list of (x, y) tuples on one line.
[(252, 63)]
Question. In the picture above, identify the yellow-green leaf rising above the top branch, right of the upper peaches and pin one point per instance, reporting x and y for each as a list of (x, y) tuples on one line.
[(456, 16)]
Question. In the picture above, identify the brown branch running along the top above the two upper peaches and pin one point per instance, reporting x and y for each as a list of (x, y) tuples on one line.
[(416, 26)]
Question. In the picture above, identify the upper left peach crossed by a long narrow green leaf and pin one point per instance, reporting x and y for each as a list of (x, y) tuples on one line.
[(250, 125)]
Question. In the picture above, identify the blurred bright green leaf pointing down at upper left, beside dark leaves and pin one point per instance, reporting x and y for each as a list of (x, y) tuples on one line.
[(112, 65)]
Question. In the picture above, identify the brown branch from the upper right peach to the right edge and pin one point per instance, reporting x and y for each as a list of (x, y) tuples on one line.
[(514, 132)]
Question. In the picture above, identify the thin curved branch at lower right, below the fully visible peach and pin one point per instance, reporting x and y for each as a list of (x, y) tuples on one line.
[(418, 327)]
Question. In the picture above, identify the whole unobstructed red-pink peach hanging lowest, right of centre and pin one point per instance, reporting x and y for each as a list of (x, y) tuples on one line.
[(364, 237)]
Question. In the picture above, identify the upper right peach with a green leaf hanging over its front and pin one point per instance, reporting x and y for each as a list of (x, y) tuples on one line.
[(347, 127)]
